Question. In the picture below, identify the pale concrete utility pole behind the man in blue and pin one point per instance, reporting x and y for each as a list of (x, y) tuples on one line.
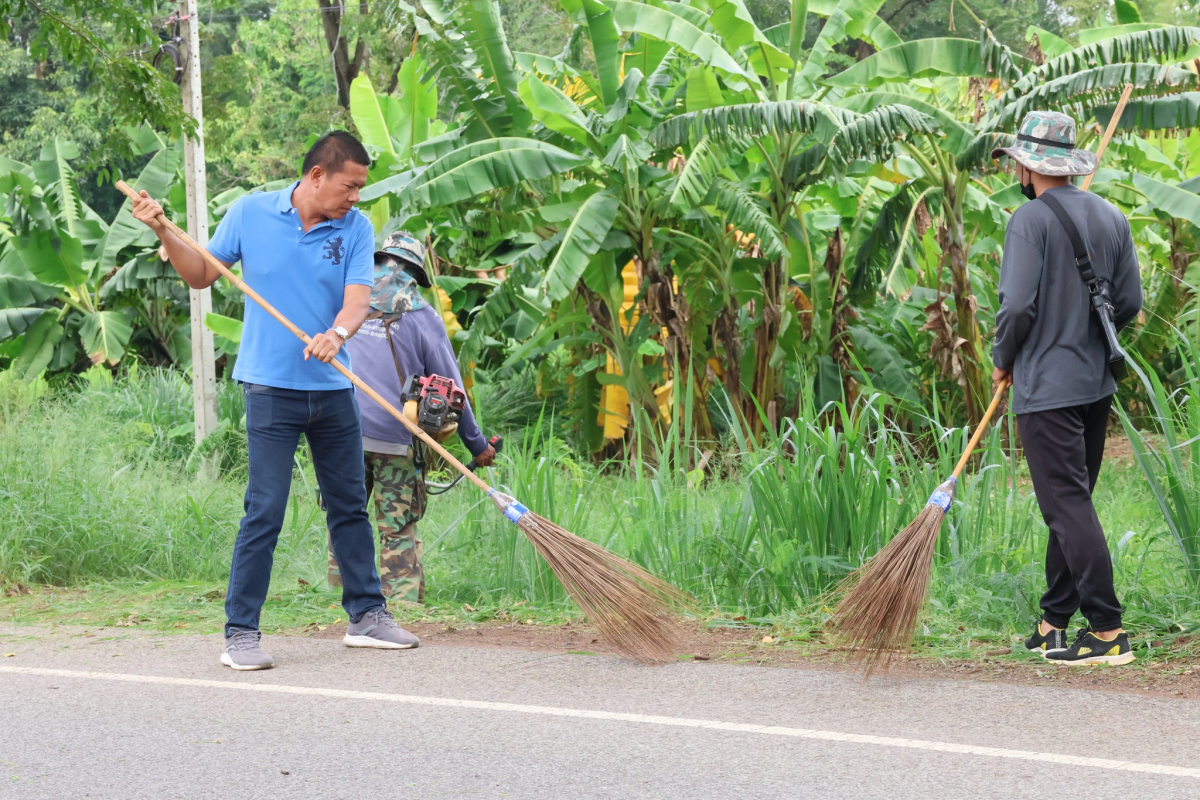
[(205, 381)]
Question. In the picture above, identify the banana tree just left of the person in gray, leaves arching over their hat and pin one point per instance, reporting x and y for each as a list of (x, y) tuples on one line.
[(953, 81)]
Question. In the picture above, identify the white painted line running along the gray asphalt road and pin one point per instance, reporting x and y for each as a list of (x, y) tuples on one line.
[(641, 719)]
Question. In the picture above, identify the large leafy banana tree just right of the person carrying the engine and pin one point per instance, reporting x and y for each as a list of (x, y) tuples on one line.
[(555, 173)]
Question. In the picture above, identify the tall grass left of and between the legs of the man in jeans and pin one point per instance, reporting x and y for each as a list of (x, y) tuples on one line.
[(93, 488)]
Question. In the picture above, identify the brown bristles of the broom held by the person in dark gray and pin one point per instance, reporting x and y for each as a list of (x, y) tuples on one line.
[(878, 613)]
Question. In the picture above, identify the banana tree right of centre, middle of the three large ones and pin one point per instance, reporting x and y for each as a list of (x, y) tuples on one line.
[(796, 142)]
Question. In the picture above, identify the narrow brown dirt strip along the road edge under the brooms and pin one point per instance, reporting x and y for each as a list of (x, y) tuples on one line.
[(757, 647)]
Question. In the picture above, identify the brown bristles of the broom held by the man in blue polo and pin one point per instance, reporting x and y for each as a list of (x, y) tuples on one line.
[(631, 607)]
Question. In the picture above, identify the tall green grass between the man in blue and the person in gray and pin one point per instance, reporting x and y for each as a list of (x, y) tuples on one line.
[(801, 510)]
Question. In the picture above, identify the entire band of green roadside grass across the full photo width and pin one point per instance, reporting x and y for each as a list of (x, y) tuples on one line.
[(104, 500)]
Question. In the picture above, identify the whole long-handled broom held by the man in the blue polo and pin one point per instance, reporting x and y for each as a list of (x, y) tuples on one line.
[(629, 606)]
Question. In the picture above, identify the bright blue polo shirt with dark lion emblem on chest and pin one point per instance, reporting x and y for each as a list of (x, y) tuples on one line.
[(304, 275)]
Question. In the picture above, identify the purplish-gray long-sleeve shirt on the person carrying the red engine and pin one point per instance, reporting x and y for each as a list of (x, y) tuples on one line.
[(424, 350)]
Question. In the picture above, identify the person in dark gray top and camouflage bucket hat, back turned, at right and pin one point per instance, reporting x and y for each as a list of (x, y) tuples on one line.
[(1049, 347)]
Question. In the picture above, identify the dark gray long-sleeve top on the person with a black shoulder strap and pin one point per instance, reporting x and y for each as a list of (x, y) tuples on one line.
[(1046, 330)]
